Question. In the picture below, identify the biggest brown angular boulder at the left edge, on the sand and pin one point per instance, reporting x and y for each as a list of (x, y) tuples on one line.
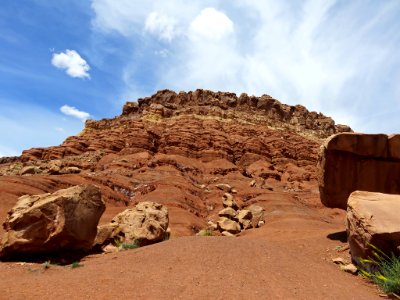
[(63, 221)]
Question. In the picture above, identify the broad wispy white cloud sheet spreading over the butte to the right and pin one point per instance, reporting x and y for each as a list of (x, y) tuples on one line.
[(331, 56)]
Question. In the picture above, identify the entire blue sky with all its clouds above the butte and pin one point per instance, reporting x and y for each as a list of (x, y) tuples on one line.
[(64, 61)]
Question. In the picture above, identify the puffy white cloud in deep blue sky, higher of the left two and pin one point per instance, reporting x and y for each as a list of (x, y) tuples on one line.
[(72, 62)]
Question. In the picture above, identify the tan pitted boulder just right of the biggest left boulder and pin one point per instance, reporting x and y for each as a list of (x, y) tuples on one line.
[(145, 224)]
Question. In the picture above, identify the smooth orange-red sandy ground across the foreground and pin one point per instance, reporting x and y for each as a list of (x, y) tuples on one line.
[(285, 259)]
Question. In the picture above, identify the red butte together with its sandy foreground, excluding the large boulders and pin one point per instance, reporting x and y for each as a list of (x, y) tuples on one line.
[(174, 149)]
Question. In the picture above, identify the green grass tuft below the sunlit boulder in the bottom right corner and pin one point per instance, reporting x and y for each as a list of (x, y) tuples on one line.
[(384, 270)]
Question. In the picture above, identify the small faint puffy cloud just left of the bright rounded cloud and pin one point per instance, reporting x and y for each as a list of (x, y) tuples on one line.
[(161, 25)]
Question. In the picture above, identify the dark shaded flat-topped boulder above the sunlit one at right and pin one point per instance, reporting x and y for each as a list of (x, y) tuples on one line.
[(353, 161)]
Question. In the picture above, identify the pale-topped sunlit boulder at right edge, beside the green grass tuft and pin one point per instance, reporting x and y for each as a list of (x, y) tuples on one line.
[(373, 219)]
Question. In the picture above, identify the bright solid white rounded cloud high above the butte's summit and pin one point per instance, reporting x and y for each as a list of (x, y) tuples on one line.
[(211, 24)]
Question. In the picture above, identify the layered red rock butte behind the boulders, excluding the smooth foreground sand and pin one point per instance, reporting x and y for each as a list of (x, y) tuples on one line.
[(174, 148)]
